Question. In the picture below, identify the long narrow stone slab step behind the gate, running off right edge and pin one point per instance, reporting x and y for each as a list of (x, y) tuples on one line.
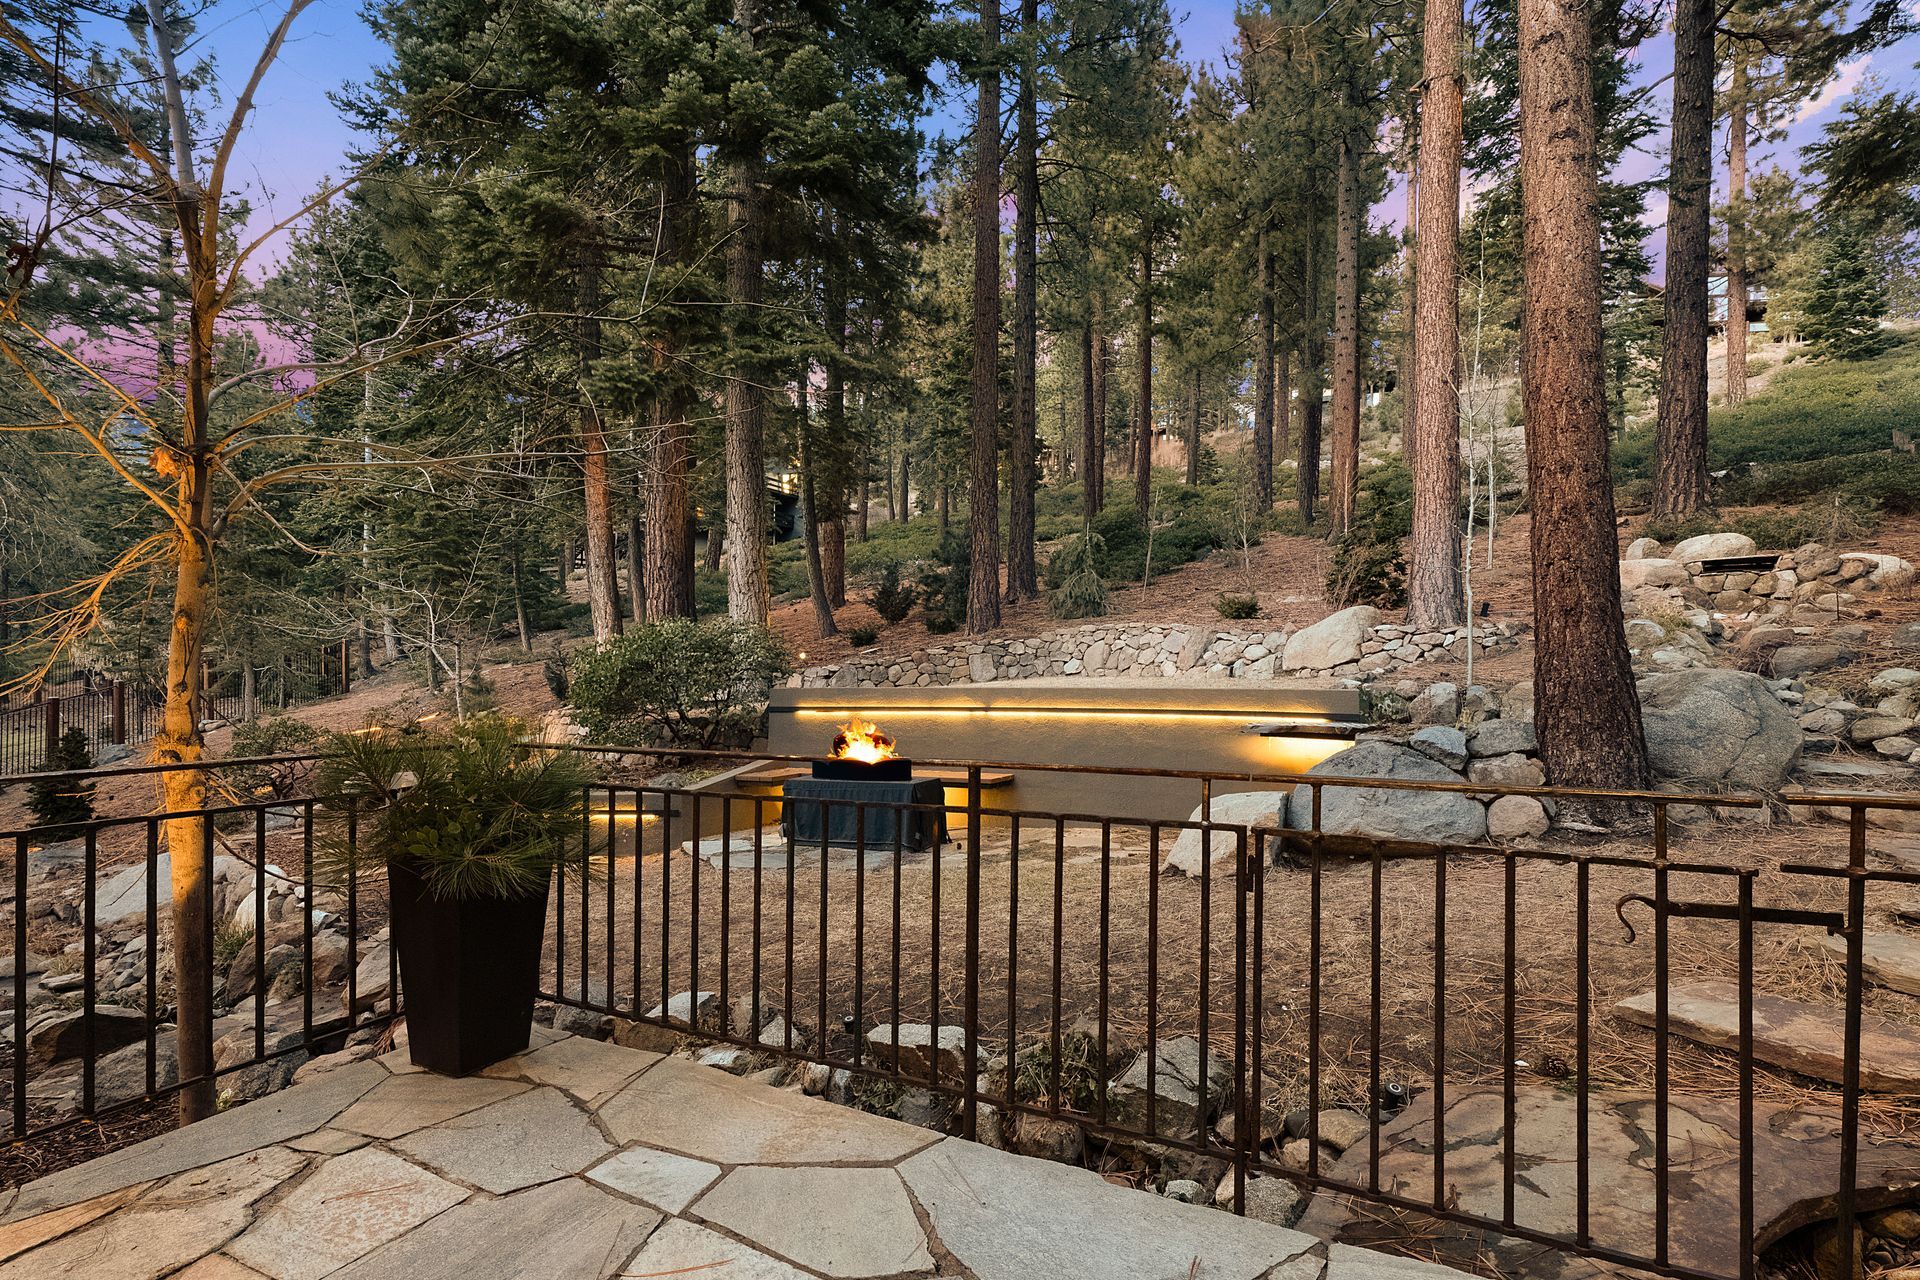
[(1788, 1033)]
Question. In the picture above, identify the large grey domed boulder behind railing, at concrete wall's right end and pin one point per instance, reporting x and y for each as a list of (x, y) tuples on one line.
[(1435, 817)]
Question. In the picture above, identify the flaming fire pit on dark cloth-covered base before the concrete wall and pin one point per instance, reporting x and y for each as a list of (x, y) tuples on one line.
[(865, 770)]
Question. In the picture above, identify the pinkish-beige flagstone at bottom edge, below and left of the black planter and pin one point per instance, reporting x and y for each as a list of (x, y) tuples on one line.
[(350, 1206)]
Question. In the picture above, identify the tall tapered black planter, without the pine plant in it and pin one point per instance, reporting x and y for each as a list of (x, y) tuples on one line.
[(469, 972)]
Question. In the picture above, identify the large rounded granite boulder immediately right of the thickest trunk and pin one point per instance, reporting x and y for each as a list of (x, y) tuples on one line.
[(1717, 728)]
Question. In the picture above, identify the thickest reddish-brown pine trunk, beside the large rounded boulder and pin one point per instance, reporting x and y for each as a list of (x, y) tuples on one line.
[(1585, 705)]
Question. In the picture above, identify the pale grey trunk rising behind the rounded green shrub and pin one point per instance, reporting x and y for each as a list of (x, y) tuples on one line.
[(746, 406)]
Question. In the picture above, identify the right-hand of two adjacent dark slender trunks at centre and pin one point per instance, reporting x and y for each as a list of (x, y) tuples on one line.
[(1022, 571)]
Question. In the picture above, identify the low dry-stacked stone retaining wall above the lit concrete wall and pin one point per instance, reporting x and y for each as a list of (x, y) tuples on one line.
[(1351, 640)]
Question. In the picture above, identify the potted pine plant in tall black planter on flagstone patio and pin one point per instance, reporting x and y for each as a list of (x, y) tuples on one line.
[(469, 828)]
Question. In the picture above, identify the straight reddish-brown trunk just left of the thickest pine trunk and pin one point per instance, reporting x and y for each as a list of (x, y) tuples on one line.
[(1435, 592)]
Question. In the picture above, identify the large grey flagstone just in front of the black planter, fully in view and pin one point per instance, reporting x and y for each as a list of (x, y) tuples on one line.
[(529, 1139)]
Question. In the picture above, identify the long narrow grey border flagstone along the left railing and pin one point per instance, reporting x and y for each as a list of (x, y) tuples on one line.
[(243, 1129)]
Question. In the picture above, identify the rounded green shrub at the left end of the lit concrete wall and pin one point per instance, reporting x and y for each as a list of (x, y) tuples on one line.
[(681, 682)]
